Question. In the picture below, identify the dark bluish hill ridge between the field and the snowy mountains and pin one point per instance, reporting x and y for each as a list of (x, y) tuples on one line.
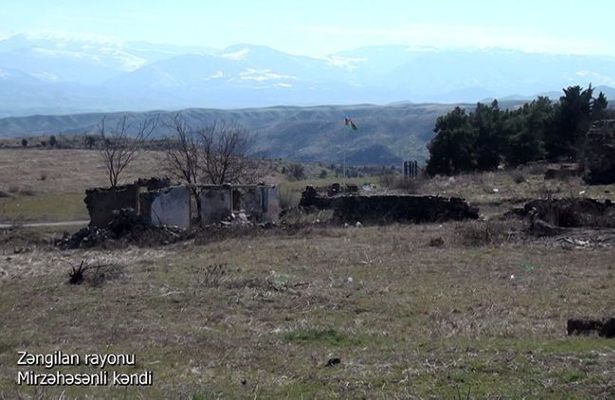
[(386, 134)]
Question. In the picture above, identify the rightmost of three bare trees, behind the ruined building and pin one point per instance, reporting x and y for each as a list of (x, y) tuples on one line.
[(224, 147)]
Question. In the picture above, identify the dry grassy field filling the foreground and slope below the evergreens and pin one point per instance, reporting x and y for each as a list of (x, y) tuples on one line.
[(404, 318)]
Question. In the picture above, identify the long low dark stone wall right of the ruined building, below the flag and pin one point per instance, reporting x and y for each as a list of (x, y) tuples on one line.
[(386, 209)]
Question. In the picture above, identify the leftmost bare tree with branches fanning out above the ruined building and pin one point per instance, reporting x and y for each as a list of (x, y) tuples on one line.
[(118, 149)]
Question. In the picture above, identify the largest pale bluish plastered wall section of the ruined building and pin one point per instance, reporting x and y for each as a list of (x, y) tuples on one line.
[(168, 206)]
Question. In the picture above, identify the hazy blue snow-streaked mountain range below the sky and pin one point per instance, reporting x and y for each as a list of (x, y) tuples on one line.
[(61, 75)]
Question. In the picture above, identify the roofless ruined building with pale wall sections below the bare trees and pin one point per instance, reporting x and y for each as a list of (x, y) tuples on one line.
[(156, 202)]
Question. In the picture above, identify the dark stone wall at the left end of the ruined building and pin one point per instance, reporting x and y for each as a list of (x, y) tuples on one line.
[(102, 202)]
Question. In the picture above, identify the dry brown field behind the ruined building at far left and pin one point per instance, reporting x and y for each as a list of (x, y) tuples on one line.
[(49, 185)]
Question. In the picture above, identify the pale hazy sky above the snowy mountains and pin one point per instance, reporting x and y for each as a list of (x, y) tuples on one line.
[(319, 27)]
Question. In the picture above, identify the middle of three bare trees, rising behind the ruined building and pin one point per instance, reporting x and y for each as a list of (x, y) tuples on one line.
[(183, 156)]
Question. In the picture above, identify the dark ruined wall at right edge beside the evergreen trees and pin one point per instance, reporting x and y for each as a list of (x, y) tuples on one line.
[(600, 154)]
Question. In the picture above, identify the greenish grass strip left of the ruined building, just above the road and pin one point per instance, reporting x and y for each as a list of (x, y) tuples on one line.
[(47, 207)]
